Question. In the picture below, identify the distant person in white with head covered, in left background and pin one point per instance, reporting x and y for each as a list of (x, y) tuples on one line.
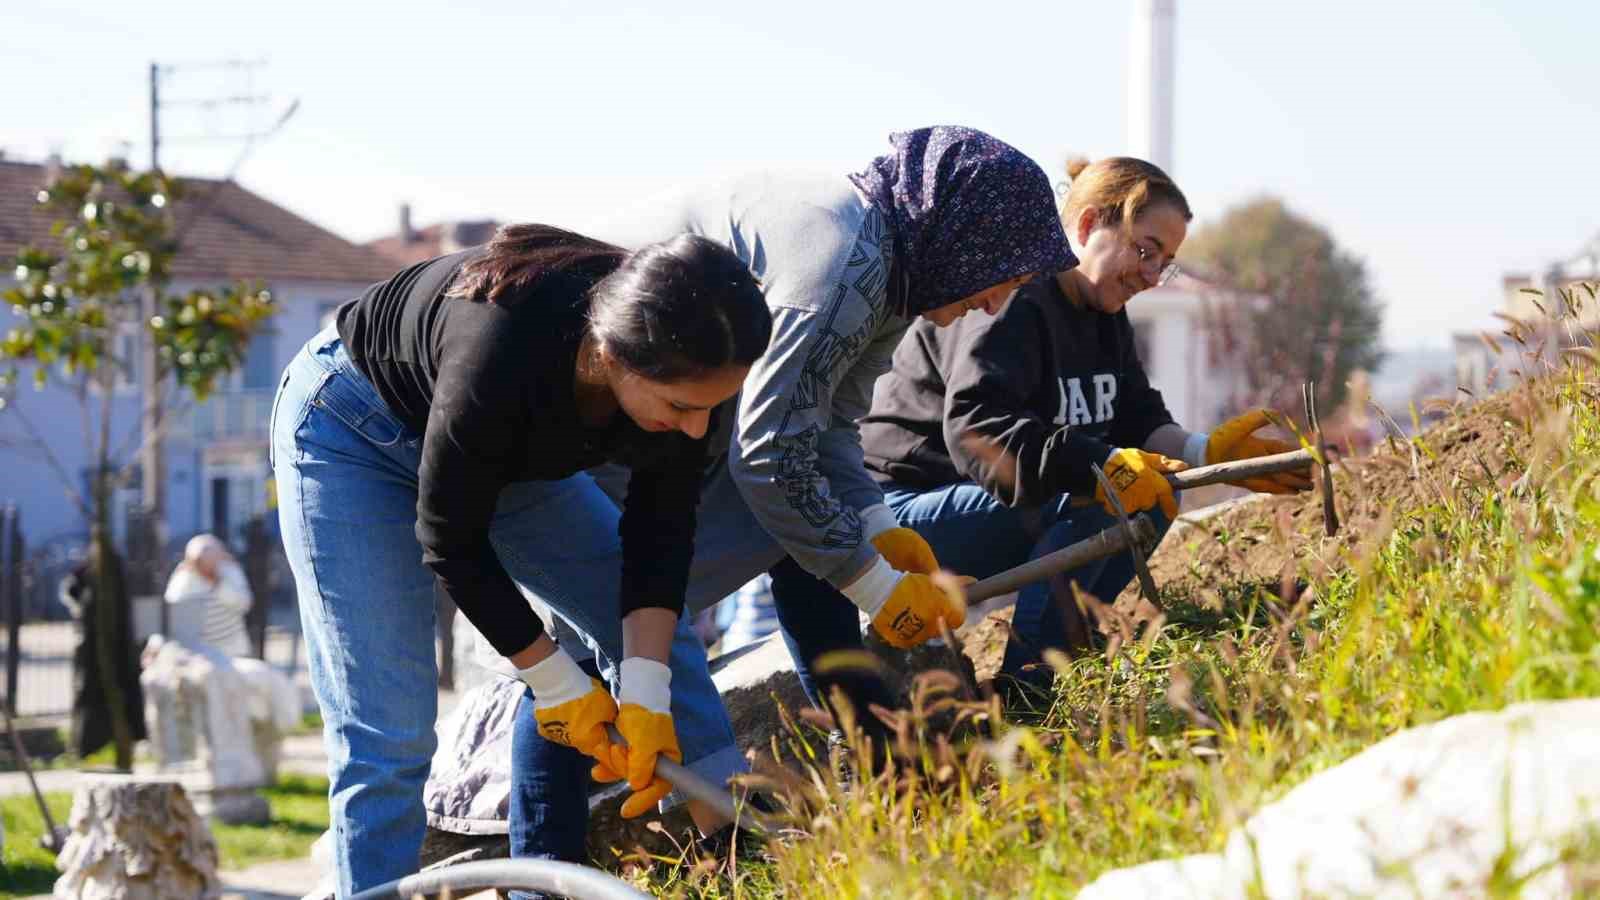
[(214, 582)]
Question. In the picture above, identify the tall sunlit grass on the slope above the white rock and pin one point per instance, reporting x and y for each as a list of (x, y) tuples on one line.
[(1484, 593)]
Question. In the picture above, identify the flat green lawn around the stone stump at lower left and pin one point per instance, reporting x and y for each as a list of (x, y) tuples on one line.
[(300, 816)]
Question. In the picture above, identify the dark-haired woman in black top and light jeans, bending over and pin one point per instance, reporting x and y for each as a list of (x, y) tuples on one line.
[(441, 432)]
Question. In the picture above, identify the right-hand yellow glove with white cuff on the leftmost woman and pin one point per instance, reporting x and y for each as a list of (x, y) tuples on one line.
[(646, 721)]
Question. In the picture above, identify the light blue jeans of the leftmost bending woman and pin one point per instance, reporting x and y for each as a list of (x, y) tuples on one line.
[(346, 480)]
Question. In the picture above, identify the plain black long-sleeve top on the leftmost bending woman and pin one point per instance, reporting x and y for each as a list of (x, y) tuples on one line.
[(490, 388)]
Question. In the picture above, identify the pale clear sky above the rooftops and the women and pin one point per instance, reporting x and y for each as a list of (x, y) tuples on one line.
[(1444, 143)]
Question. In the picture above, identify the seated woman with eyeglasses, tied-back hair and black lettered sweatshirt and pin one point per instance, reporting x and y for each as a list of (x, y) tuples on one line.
[(985, 433)]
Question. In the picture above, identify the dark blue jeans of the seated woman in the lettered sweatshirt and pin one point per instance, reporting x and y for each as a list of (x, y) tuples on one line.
[(972, 534)]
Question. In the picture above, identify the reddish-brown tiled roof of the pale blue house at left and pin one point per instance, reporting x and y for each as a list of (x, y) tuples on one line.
[(238, 235)]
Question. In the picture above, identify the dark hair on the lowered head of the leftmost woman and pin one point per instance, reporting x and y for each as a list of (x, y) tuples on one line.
[(679, 310)]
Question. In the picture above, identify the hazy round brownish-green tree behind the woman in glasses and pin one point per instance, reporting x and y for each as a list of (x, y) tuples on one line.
[(1310, 315)]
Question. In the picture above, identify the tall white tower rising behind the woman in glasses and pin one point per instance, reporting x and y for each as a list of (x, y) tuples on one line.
[(1151, 82)]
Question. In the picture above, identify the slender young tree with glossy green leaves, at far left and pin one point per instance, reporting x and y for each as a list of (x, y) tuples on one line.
[(74, 305)]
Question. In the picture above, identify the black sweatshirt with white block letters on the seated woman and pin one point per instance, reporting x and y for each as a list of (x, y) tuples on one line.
[(1022, 403)]
